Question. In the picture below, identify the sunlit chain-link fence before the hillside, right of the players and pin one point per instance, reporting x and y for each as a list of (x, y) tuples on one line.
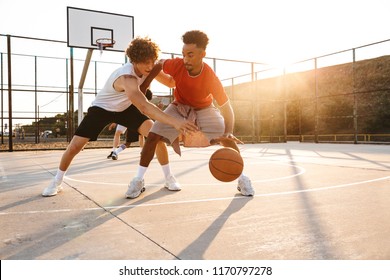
[(340, 97)]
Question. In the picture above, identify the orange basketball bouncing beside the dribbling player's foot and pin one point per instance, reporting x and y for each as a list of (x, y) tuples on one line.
[(226, 164)]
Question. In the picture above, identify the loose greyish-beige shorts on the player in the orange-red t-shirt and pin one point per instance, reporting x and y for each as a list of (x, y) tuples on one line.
[(209, 120)]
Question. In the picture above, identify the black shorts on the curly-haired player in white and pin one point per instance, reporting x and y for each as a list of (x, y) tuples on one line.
[(97, 119)]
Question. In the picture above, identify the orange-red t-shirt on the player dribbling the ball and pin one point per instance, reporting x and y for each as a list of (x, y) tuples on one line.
[(195, 91)]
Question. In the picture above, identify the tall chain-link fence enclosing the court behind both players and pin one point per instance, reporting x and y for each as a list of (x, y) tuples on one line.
[(344, 96)]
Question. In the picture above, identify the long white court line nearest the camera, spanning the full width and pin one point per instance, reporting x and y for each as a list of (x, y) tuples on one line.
[(198, 200)]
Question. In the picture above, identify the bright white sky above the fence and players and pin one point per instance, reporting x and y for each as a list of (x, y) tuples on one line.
[(274, 32)]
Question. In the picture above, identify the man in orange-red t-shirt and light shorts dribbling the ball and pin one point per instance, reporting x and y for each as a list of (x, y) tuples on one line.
[(196, 85)]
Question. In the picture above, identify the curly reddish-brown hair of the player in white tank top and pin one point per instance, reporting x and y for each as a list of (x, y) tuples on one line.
[(142, 50)]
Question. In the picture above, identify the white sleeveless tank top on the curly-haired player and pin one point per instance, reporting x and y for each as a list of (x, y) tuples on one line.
[(110, 99)]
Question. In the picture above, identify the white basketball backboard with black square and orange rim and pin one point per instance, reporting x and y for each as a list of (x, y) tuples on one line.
[(86, 26)]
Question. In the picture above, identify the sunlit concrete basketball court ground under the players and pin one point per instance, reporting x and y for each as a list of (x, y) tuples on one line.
[(312, 202)]
